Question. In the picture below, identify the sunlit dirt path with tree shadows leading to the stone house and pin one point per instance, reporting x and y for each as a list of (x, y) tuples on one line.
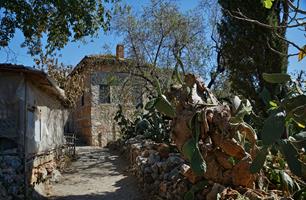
[(97, 174)]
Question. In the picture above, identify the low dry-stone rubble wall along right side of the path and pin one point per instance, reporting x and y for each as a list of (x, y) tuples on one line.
[(164, 174)]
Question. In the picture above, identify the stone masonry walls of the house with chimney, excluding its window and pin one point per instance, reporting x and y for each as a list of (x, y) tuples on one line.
[(94, 122)]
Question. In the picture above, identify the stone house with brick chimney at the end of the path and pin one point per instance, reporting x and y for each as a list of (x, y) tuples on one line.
[(109, 81)]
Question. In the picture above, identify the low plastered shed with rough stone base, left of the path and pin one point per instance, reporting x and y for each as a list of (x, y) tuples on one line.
[(32, 119)]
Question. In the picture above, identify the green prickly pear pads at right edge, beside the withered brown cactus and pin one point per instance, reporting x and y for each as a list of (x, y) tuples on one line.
[(284, 138)]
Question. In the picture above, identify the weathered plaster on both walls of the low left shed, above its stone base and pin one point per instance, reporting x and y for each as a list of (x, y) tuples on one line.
[(46, 117)]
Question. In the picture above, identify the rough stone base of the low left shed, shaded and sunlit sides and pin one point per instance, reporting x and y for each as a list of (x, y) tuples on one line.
[(41, 171)]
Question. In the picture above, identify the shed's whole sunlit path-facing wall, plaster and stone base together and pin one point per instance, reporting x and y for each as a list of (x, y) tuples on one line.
[(46, 119)]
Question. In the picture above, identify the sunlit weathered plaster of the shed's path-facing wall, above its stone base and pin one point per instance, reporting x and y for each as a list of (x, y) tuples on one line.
[(46, 121)]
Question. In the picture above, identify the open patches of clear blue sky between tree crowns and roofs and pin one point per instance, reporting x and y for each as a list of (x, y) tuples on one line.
[(75, 51)]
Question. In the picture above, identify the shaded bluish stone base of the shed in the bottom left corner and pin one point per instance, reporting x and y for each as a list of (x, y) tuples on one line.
[(11, 177)]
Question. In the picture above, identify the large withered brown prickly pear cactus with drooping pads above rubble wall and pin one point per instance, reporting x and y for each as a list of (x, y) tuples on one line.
[(210, 135)]
